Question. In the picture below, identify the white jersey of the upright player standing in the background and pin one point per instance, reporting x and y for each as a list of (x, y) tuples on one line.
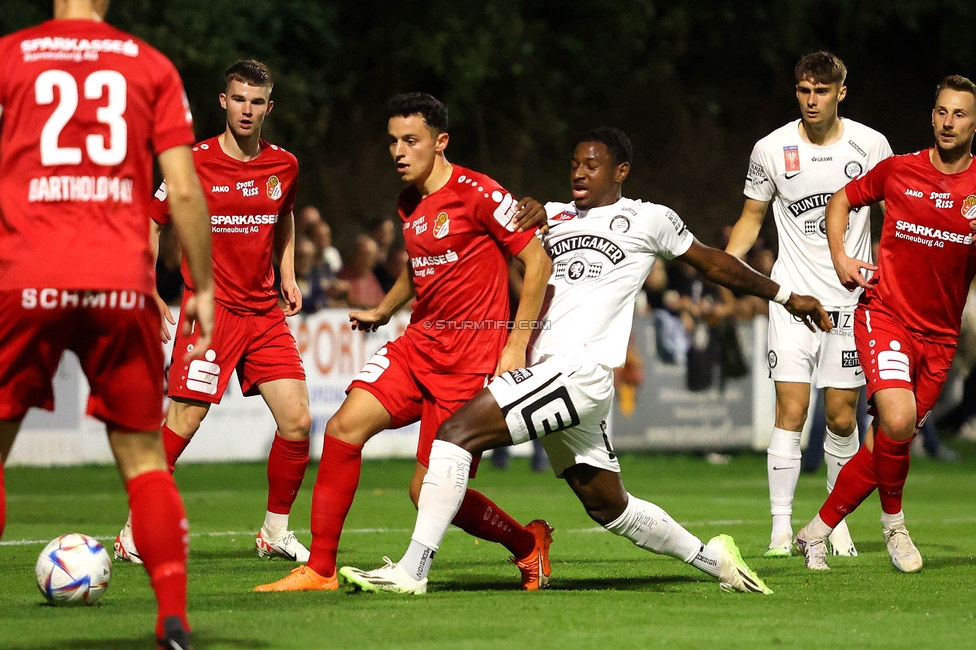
[(799, 178)]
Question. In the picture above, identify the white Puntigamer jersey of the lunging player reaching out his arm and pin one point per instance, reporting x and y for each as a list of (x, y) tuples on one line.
[(600, 260)]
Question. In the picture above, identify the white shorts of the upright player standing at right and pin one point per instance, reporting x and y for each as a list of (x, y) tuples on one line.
[(794, 352)]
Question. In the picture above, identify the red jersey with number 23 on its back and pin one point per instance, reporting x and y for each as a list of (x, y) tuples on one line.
[(84, 107)]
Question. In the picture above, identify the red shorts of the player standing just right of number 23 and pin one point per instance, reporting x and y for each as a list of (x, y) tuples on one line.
[(260, 347)]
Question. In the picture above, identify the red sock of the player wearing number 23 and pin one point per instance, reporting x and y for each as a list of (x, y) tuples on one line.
[(160, 531)]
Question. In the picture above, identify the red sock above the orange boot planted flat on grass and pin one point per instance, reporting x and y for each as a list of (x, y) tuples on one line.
[(335, 488)]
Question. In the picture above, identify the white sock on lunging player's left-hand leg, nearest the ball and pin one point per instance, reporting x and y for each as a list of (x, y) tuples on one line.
[(441, 495)]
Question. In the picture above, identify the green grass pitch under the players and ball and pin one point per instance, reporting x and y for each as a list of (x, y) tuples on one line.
[(605, 592)]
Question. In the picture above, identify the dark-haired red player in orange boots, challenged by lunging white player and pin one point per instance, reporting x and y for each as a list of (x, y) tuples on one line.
[(459, 227)]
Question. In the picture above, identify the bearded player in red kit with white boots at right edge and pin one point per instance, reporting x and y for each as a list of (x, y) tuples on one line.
[(908, 319)]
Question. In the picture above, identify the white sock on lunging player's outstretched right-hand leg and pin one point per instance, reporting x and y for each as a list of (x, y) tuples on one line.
[(652, 529)]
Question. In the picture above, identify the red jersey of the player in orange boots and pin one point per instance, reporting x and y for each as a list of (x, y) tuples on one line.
[(459, 239)]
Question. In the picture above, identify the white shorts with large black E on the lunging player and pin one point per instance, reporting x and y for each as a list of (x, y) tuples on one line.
[(566, 403)]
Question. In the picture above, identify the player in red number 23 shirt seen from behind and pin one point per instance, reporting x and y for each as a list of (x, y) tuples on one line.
[(84, 107)]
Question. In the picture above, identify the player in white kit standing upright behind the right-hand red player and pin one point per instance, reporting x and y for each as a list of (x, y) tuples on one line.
[(797, 168)]
